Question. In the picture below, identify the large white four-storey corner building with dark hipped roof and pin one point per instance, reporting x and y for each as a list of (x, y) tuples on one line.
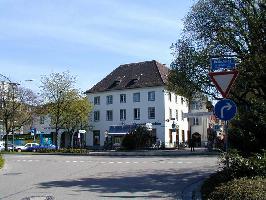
[(135, 94)]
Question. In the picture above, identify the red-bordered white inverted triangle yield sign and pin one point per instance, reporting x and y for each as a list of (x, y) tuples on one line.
[(223, 81)]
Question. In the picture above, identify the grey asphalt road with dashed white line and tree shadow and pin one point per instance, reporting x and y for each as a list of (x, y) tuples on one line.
[(59, 177)]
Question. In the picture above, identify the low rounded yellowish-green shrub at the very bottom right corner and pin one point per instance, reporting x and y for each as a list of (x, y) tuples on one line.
[(241, 189)]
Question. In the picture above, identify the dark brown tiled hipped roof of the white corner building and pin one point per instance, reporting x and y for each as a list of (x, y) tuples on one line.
[(133, 75)]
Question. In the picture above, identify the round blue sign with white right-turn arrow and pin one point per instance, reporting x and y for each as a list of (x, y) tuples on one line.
[(225, 109)]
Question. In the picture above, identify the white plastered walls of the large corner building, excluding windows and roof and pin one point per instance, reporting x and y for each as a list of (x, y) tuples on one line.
[(161, 104)]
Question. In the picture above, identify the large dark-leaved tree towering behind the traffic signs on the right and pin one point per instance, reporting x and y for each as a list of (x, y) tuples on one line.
[(226, 28)]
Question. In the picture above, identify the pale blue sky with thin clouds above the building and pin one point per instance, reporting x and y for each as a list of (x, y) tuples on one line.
[(88, 38)]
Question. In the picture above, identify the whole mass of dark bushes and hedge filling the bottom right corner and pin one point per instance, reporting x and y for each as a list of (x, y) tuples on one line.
[(245, 178)]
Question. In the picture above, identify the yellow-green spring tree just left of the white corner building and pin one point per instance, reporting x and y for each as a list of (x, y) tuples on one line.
[(66, 107)]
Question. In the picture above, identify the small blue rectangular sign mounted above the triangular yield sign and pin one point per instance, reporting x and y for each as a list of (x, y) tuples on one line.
[(222, 63)]
